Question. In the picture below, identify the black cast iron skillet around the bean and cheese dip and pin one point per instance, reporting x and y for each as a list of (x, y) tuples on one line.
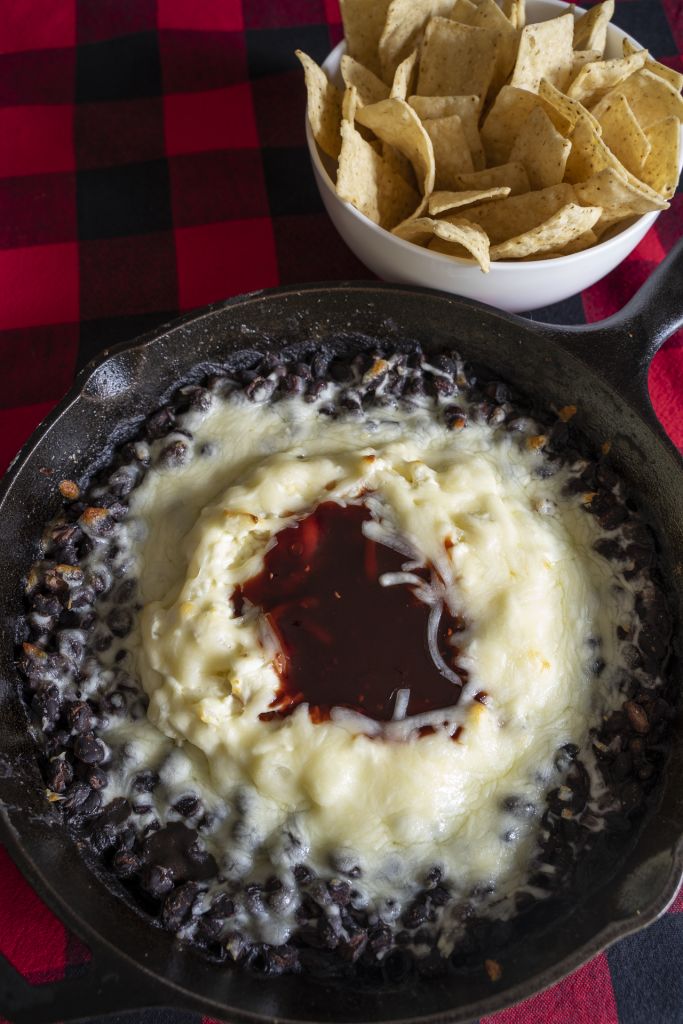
[(603, 370)]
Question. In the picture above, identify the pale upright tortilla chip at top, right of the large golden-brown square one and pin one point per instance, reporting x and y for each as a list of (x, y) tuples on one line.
[(545, 52)]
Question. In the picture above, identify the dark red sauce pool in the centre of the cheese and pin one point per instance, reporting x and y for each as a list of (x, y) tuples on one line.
[(347, 639)]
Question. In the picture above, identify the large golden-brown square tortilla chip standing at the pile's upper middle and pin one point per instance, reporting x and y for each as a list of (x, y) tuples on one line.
[(457, 60)]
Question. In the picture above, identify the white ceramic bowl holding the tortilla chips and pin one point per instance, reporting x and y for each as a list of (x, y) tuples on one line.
[(513, 286)]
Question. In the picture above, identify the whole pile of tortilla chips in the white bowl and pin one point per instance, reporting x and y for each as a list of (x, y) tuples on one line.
[(465, 131)]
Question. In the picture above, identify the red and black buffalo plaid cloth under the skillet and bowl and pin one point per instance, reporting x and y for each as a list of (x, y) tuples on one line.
[(153, 160)]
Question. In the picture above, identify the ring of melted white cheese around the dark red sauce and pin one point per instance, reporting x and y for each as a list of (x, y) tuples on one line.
[(516, 557)]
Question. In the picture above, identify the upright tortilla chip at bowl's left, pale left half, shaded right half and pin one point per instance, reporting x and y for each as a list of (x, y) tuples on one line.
[(367, 182)]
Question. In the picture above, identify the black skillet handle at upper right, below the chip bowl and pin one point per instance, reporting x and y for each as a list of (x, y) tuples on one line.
[(622, 348)]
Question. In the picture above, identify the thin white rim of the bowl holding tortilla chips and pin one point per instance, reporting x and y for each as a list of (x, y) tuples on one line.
[(333, 59)]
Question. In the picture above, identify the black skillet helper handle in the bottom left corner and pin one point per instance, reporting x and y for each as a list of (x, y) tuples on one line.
[(104, 990)]
